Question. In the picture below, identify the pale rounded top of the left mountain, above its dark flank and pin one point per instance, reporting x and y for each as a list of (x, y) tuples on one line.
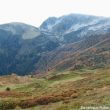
[(26, 31)]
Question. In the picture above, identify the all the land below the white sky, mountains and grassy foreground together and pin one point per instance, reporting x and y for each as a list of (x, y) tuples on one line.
[(62, 65)]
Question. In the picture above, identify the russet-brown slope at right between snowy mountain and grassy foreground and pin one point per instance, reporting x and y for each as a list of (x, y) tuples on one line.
[(92, 51)]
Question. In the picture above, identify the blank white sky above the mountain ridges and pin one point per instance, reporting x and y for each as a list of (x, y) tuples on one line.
[(34, 12)]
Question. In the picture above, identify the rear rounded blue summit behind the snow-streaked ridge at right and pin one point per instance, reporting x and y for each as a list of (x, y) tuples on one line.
[(65, 23)]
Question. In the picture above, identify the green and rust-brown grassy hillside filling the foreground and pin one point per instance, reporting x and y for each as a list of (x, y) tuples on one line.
[(65, 90)]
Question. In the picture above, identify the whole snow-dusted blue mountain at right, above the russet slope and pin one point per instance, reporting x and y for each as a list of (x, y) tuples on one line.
[(71, 28)]
